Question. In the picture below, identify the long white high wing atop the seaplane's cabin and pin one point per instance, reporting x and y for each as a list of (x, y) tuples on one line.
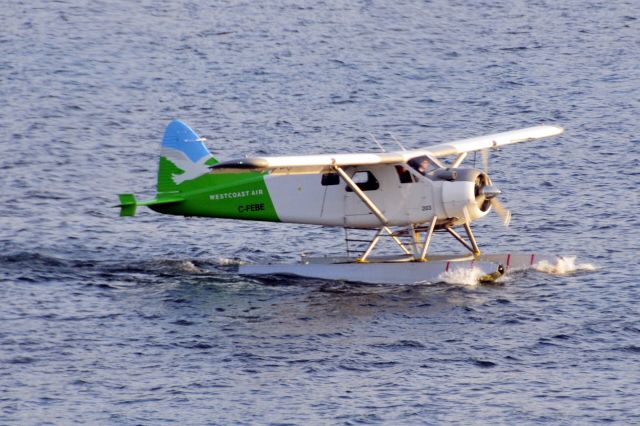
[(305, 164)]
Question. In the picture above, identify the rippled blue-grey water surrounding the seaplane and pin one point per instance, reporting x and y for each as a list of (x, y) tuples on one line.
[(143, 321)]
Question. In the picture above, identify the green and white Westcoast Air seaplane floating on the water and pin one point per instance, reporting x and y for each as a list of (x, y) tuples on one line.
[(404, 196)]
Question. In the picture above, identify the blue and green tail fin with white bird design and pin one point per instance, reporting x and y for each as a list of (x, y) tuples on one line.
[(183, 157)]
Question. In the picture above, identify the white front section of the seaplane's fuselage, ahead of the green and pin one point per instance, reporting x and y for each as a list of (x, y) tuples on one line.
[(307, 198)]
